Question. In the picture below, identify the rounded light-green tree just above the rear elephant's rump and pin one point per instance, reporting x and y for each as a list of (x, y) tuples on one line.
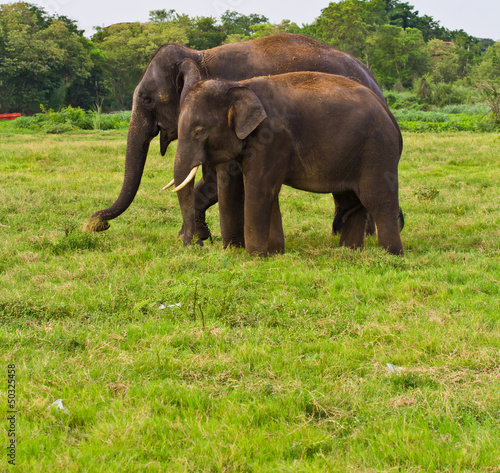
[(396, 54)]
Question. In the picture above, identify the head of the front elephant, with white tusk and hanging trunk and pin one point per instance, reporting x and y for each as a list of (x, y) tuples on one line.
[(215, 119)]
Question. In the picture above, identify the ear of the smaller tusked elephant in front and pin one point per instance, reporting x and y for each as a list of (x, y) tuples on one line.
[(246, 113)]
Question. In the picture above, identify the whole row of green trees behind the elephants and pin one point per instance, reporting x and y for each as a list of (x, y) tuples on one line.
[(46, 60)]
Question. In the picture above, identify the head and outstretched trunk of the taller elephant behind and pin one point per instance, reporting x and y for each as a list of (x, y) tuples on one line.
[(155, 110)]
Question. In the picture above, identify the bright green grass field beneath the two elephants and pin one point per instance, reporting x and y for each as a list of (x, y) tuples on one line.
[(321, 359)]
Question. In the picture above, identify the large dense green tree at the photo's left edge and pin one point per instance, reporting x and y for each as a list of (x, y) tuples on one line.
[(40, 58)]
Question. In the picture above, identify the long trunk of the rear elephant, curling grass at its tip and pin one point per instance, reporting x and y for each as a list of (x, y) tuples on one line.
[(139, 136)]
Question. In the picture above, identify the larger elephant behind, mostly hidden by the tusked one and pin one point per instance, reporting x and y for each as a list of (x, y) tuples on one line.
[(157, 97)]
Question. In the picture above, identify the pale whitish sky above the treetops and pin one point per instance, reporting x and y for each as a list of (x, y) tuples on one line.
[(480, 18)]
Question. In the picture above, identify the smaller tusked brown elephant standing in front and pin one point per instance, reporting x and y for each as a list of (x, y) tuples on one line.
[(313, 131)]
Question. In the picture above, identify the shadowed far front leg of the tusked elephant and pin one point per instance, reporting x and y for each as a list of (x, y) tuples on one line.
[(231, 204)]
